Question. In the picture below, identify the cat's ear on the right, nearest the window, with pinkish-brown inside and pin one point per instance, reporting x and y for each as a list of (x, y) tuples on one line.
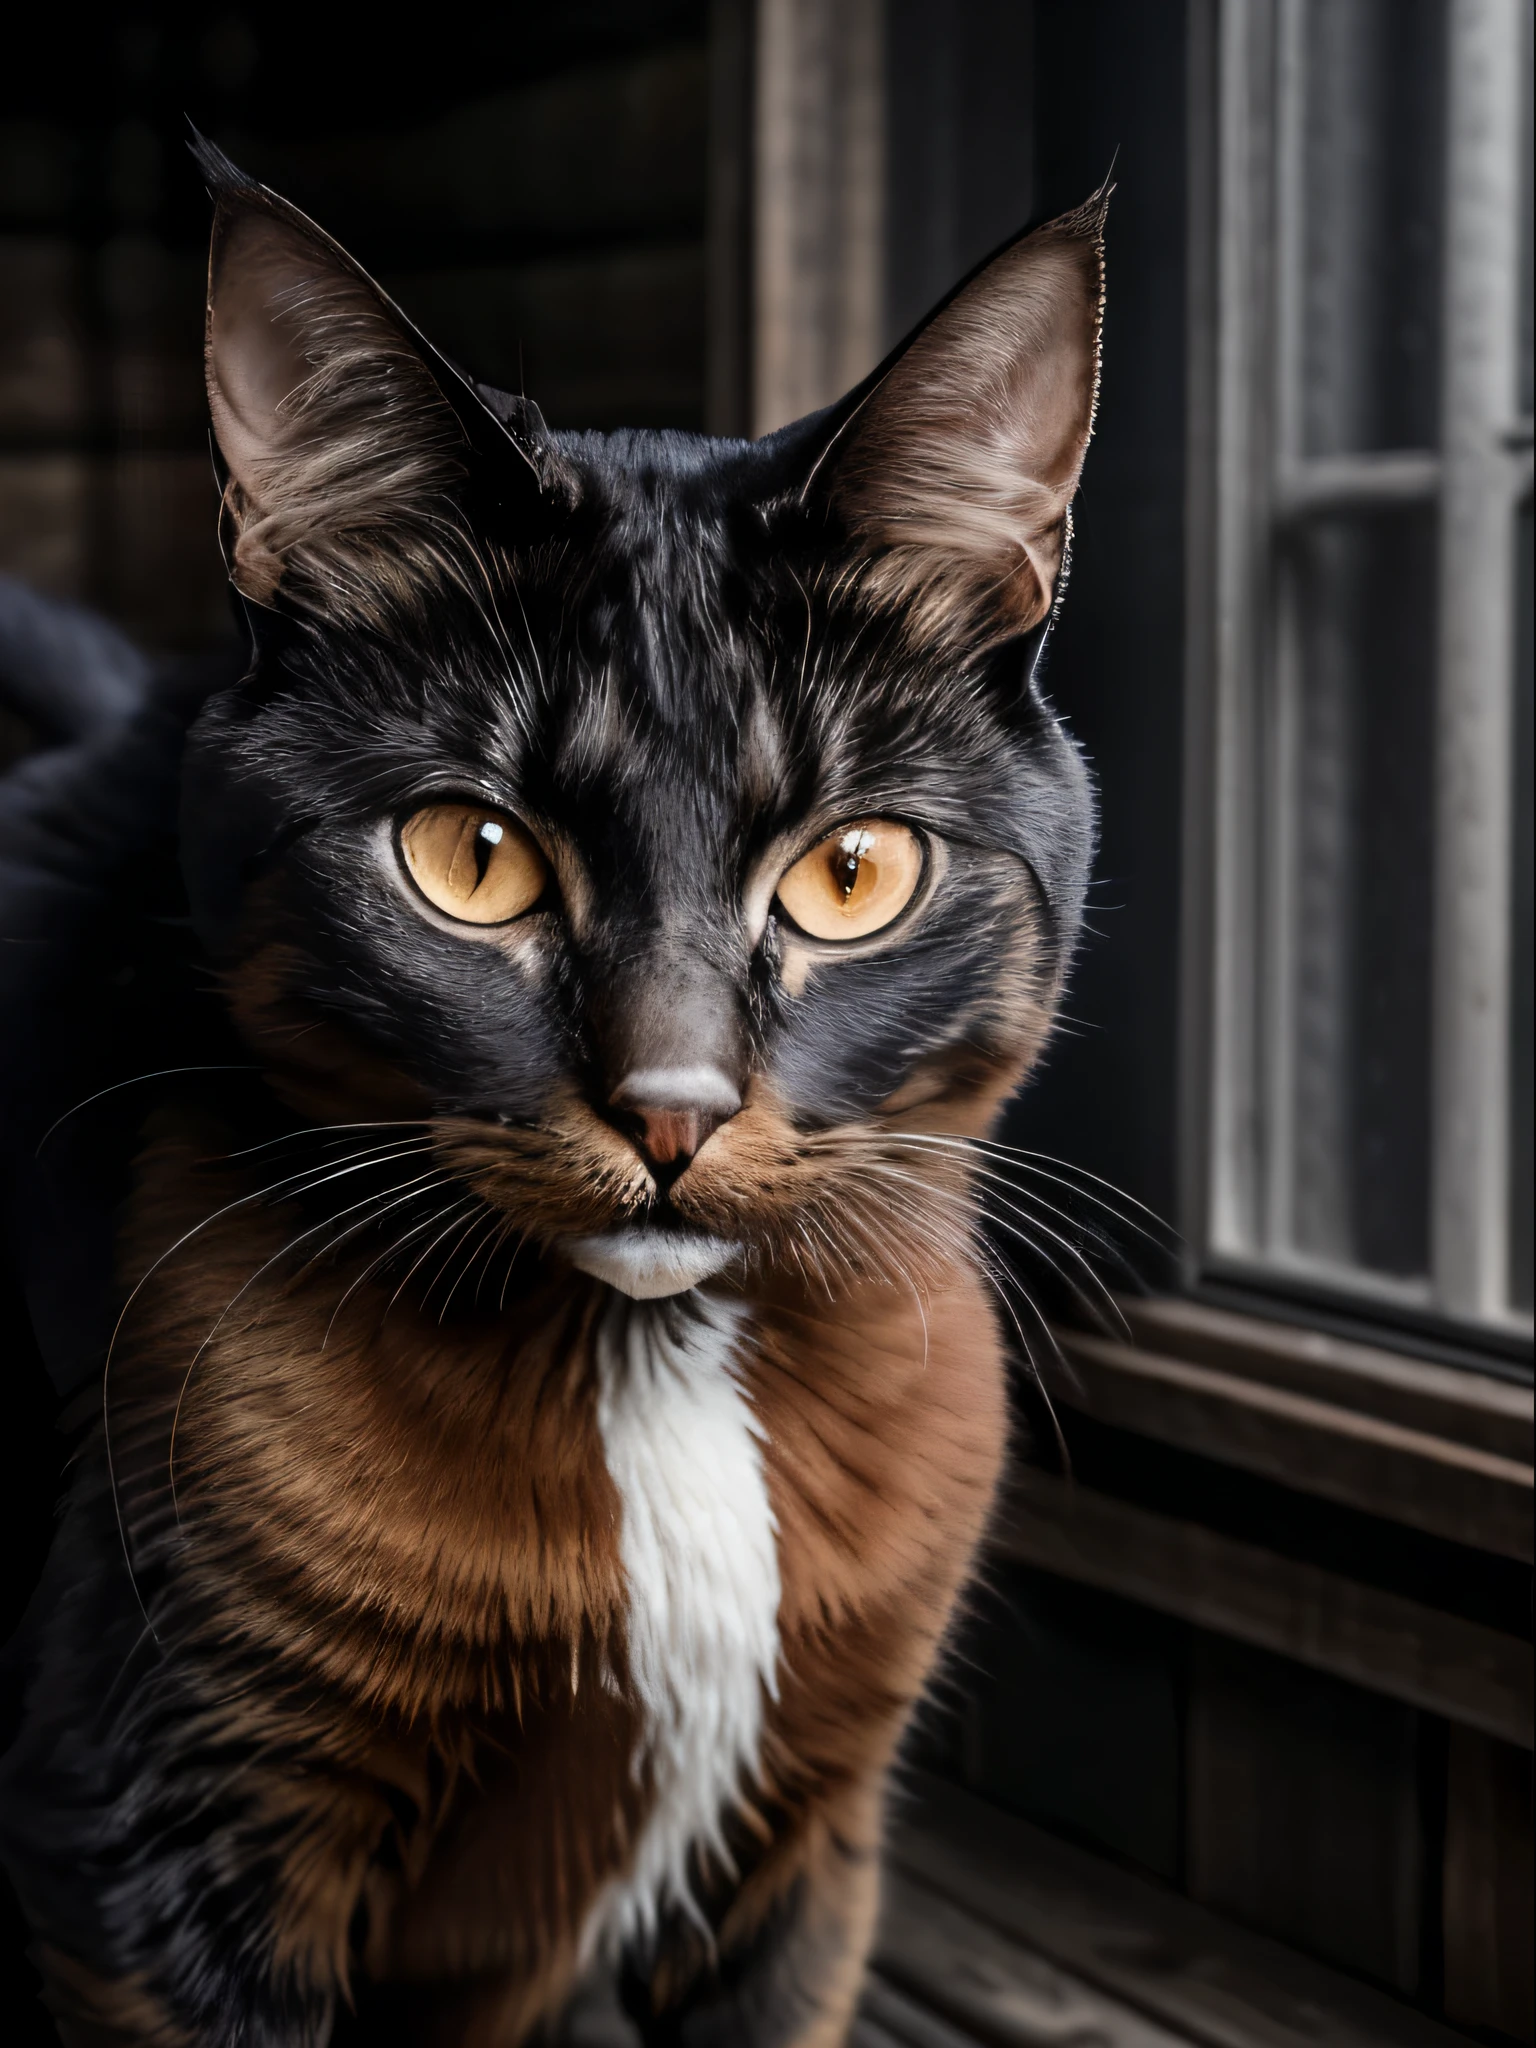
[(959, 466)]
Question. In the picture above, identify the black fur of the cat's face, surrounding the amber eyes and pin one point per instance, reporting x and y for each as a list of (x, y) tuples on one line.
[(658, 652)]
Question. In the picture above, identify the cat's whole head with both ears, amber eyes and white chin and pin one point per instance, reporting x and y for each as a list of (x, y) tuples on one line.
[(675, 826)]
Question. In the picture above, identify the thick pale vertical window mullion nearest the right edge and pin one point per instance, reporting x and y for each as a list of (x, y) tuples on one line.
[(1471, 1033)]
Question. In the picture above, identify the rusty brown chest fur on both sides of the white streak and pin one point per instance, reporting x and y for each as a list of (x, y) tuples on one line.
[(404, 1537)]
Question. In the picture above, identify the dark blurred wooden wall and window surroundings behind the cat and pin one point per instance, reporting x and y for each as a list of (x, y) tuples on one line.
[(1236, 1746)]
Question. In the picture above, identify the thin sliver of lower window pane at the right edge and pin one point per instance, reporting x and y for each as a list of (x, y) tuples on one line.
[(1523, 1043)]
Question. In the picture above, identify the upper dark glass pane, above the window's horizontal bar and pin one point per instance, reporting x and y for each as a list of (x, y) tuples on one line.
[(1373, 173)]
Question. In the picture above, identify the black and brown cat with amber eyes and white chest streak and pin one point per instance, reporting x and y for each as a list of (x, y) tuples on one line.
[(558, 1398)]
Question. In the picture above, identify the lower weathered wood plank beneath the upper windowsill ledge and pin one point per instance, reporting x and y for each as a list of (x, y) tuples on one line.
[(1371, 1637)]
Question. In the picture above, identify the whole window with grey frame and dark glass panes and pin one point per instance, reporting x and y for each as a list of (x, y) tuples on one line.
[(1363, 886)]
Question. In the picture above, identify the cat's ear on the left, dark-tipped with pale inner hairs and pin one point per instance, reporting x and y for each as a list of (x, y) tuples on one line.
[(347, 439)]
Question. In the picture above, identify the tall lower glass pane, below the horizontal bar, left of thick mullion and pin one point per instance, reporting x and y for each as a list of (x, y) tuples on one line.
[(1365, 636)]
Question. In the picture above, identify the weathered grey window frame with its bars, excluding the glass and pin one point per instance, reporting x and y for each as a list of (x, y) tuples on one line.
[(1248, 488)]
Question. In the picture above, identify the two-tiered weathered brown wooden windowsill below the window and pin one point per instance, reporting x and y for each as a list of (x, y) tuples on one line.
[(1410, 1443)]
